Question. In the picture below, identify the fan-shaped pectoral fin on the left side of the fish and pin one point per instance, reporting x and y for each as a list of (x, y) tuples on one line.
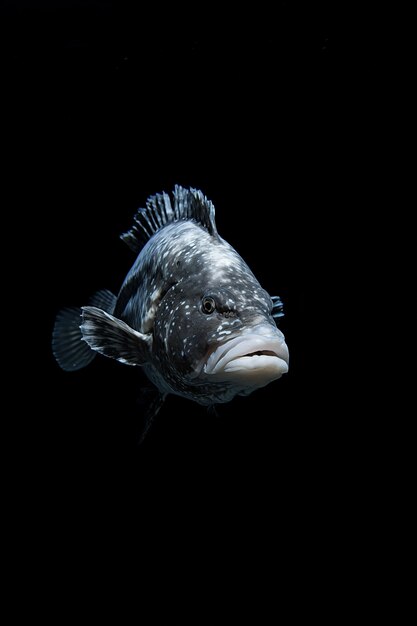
[(112, 337)]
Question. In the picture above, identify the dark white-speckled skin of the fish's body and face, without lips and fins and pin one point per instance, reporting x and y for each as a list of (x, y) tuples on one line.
[(162, 295)]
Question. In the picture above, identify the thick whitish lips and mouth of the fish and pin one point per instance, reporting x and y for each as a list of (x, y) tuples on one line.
[(254, 358)]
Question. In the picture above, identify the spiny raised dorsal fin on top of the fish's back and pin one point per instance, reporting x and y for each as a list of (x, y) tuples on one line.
[(188, 204)]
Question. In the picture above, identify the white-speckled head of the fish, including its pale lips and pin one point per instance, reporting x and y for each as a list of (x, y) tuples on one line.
[(222, 336)]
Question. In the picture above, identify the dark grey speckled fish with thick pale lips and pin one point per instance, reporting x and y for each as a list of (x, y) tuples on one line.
[(189, 312)]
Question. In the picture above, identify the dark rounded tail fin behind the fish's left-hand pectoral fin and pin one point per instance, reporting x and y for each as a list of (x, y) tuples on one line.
[(68, 347)]
